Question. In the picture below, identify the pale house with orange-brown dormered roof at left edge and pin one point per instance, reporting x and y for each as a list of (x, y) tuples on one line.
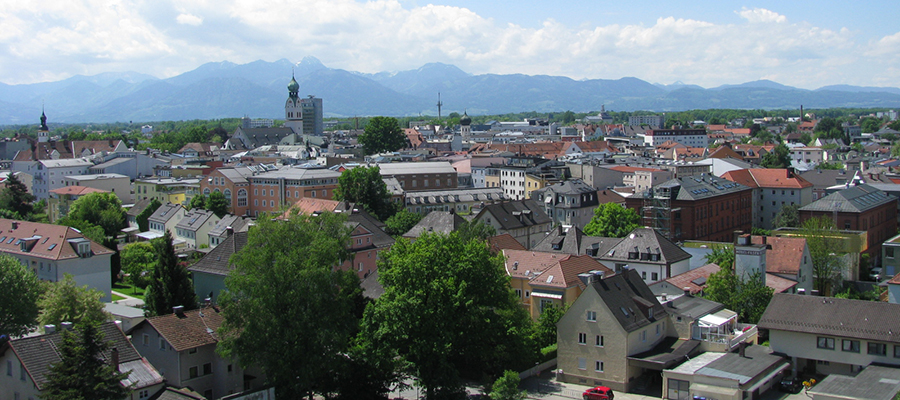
[(51, 251)]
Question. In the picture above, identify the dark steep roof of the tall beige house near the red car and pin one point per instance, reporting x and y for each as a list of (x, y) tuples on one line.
[(629, 300)]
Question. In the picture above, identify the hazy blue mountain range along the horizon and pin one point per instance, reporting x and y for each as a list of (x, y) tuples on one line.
[(259, 89)]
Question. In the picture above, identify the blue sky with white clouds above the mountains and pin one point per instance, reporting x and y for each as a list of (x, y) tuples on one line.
[(806, 44)]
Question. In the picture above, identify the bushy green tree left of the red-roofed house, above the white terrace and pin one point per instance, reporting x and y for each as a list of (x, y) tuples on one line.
[(748, 297)]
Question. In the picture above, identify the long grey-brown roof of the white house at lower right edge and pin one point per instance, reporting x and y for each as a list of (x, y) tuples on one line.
[(858, 319)]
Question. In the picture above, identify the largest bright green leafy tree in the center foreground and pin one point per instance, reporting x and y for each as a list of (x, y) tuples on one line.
[(448, 312)]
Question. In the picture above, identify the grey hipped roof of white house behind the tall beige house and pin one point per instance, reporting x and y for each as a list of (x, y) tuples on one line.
[(646, 240)]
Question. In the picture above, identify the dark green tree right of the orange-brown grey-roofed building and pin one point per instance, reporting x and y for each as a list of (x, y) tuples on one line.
[(363, 186)]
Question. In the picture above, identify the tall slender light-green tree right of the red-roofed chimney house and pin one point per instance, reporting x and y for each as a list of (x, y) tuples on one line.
[(822, 238)]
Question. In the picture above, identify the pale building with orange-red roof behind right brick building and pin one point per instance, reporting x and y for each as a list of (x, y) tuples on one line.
[(772, 190)]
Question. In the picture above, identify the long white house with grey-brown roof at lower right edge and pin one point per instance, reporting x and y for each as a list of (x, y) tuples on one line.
[(828, 335)]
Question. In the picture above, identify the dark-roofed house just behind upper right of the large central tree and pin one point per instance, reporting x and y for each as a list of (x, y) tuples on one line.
[(524, 220)]
